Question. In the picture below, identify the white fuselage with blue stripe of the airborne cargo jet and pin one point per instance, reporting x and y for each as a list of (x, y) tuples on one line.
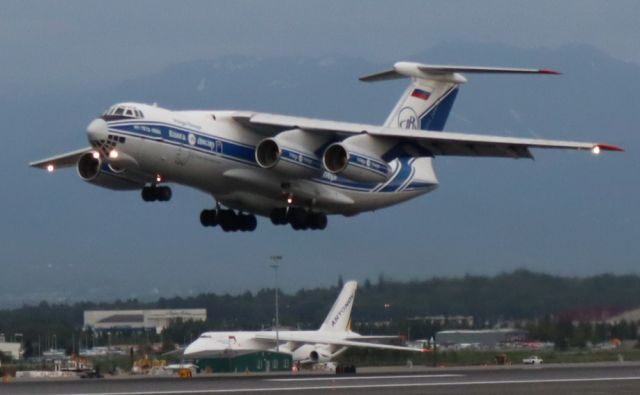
[(212, 152)]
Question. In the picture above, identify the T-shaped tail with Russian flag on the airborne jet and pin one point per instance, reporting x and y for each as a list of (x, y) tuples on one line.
[(428, 100)]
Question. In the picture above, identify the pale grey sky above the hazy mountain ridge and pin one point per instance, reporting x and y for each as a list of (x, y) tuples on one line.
[(82, 42)]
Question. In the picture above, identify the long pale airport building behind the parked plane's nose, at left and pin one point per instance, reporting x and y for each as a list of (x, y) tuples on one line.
[(139, 320)]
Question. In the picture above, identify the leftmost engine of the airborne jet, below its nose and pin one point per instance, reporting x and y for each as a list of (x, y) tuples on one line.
[(93, 170)]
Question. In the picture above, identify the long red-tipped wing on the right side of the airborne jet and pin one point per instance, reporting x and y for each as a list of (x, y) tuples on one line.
[(435, 143)]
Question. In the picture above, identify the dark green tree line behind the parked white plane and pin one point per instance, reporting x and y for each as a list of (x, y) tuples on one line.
[(519, 295)]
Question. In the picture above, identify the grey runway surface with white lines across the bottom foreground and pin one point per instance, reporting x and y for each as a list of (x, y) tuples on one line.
[(581, 379)]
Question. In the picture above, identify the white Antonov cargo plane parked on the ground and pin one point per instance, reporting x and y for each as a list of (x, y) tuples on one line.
[(322, 345)]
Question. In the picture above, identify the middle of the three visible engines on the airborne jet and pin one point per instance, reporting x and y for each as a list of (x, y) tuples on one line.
[(291, 153)]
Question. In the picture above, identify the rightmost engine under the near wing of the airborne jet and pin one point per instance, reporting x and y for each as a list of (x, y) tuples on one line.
[(350, 159)]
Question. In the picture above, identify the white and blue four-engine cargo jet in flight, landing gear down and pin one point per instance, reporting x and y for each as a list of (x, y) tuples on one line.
[(293, 170)]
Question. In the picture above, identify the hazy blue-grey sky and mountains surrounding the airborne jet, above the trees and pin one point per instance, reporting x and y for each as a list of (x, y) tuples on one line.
[(566, 212)]
